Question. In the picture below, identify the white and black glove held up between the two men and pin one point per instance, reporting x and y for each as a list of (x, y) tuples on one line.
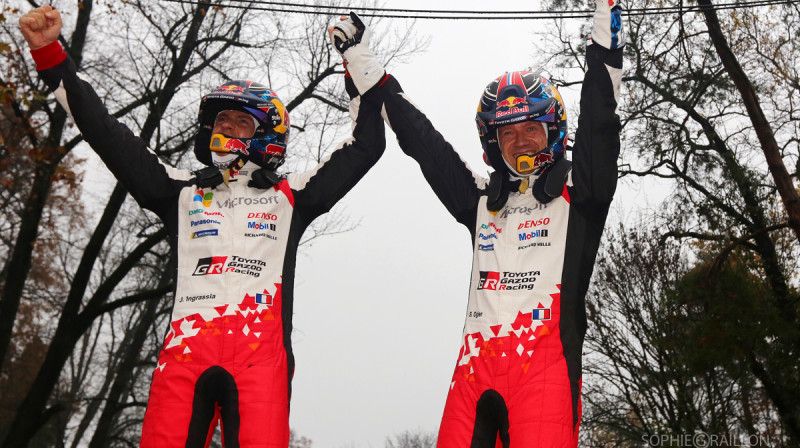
[(350, 37)]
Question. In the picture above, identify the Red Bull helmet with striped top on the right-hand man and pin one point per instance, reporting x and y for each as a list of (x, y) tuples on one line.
[(521, 96)]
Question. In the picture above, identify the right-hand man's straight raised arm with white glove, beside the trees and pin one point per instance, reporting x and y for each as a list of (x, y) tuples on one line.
[(597, 140)]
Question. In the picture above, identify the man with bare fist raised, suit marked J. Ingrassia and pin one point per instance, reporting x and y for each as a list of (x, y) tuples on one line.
[(234, 228)]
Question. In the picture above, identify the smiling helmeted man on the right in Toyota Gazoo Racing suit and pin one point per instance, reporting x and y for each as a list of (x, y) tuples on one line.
[(535, 226)]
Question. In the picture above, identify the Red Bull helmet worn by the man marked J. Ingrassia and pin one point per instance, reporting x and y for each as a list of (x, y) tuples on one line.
[(267, 147)]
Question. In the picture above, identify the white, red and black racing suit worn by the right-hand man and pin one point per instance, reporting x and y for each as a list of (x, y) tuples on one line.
[(518, 375)]
